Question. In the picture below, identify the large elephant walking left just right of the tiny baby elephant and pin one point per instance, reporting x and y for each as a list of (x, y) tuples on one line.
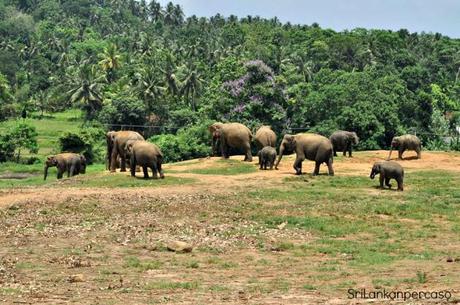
[(307, 146)]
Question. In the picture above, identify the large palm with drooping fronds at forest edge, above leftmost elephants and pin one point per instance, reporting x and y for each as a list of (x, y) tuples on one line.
[(87, 92)]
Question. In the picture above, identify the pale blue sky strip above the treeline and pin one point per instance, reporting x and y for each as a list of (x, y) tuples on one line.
[(441, 16)]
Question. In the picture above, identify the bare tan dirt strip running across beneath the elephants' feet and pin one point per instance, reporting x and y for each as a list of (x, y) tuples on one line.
[(360, 164)]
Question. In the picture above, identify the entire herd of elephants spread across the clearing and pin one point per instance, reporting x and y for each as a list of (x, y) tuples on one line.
[(130, 148)]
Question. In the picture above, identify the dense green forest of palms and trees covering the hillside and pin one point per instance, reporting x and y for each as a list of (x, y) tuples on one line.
[(135, 62)]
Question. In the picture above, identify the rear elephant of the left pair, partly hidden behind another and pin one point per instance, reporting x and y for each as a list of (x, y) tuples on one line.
[(116, 142)]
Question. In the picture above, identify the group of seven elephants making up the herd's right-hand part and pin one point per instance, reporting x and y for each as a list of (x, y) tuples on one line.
[(308, 146)]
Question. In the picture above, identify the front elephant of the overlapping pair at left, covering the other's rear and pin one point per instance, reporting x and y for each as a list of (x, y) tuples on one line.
[(146, 155)]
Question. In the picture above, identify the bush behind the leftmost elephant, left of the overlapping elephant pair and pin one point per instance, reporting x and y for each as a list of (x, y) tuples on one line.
[(89, 142)]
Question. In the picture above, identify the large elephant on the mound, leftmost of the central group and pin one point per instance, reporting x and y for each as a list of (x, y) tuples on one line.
[(232, 135)]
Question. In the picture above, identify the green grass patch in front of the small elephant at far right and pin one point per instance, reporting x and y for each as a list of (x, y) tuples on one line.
[(351, 218)]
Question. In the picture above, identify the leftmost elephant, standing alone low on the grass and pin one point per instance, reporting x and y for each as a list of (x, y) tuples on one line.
[(71, 163)]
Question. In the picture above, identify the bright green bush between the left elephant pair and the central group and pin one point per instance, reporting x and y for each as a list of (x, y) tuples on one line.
[(189, 143)]
